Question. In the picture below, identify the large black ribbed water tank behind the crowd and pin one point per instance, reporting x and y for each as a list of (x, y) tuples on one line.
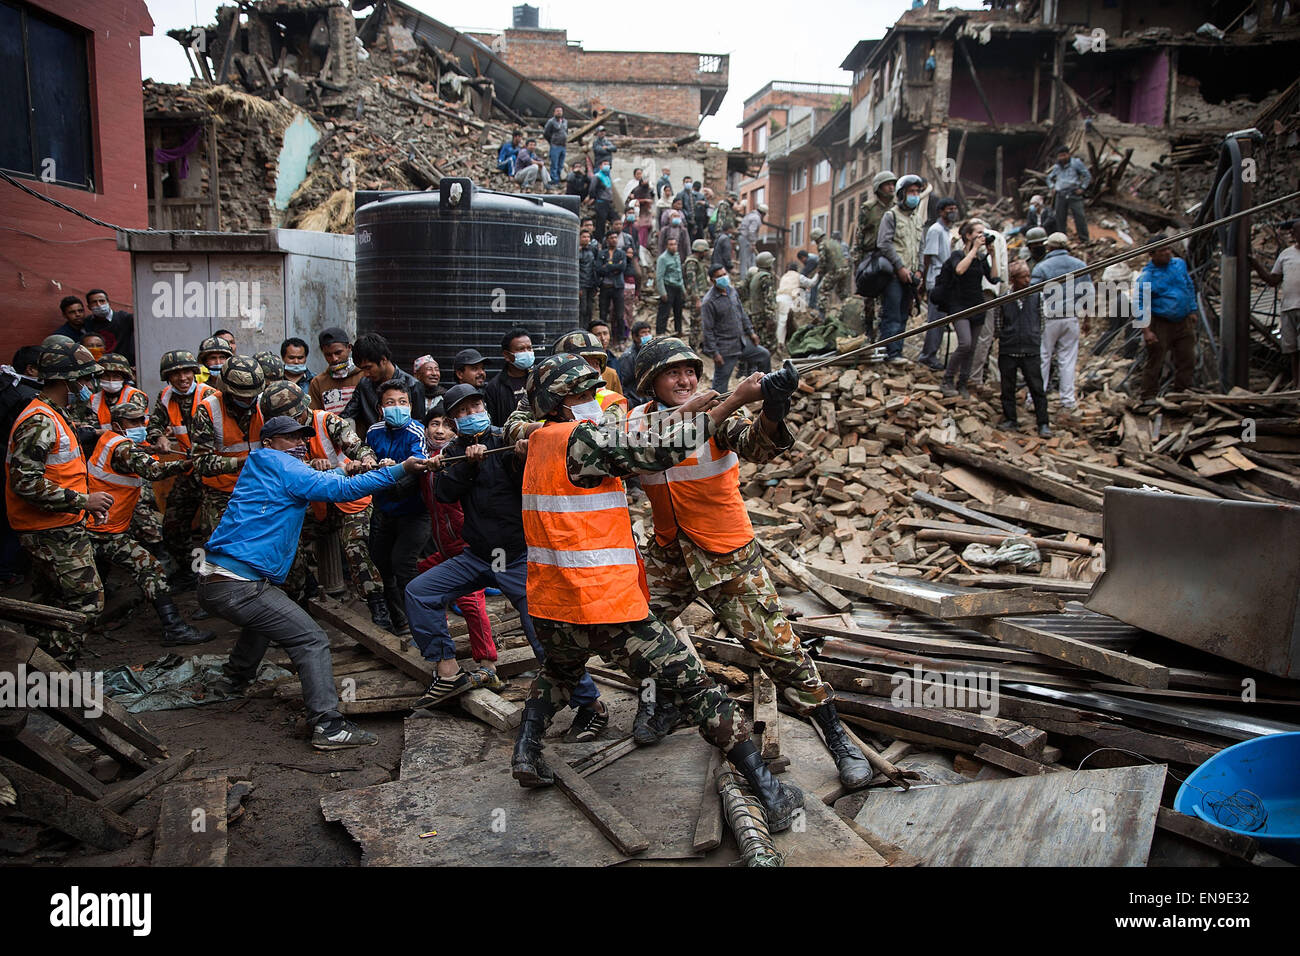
[(439, 272)]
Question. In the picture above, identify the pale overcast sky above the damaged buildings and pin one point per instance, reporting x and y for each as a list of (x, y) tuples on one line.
[(766, 40)]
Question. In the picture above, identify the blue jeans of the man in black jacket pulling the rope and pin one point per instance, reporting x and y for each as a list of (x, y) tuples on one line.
[(430, 595)]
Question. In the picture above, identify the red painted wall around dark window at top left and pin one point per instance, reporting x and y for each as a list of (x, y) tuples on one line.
[(46, 253)]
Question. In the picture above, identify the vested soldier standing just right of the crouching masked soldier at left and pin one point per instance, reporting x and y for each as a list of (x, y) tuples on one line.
[(170, 430)]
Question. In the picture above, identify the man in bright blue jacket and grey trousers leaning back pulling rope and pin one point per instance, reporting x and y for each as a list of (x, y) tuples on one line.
[(252, 552)]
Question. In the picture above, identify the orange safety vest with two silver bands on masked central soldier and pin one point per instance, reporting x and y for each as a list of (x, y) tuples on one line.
[(583, 561)]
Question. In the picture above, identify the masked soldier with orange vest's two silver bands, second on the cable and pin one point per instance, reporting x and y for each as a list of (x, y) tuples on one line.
[(573, 622)]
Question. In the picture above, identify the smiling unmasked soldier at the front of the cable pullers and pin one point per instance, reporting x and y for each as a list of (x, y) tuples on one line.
[(704, 546)]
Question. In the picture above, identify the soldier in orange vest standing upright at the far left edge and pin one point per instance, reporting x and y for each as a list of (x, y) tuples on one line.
[(47, 498)]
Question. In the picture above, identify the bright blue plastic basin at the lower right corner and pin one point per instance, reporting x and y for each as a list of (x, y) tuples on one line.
[(1269, 768)]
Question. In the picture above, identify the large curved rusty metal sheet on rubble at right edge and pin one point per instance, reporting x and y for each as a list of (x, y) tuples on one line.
[(1223, 577)]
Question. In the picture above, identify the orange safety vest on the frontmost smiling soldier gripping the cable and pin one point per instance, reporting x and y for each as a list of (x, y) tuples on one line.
[(700, 496)]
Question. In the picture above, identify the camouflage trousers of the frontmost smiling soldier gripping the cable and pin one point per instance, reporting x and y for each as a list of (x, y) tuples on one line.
[(748, 607)]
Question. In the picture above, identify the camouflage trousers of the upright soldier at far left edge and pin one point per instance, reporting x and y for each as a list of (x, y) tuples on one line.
[(64, 576)]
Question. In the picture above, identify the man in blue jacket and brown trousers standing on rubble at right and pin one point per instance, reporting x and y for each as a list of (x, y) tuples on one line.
[(1167, 300)]
